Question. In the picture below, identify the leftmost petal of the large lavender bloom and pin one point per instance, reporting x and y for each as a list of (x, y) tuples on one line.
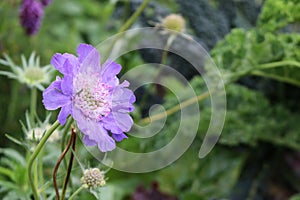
[(53, 97)]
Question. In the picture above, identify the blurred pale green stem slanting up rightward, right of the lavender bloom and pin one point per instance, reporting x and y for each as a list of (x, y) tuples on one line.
[(175, 108)]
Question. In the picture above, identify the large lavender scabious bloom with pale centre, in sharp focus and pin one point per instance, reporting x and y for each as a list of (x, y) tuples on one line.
[(92, 95)]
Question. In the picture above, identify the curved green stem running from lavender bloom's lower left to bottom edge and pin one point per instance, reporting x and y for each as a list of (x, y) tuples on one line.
[(35, 154)]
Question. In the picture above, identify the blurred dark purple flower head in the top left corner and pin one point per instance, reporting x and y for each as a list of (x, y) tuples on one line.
[(31, 14)]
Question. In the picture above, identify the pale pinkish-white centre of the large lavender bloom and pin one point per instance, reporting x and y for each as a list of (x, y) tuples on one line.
[(92, 96)]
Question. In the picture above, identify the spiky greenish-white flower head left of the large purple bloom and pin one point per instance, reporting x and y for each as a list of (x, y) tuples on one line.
[(30, 73)]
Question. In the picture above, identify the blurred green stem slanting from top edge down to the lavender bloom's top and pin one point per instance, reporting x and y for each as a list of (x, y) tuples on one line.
[(127, 25)]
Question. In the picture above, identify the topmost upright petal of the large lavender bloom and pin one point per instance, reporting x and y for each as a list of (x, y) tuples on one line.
[(89, 57)]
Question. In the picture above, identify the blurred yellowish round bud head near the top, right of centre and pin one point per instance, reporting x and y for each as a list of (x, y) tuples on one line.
[(174, 22)]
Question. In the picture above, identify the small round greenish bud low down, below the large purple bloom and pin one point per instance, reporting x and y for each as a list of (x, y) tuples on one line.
[(93, 178)]
